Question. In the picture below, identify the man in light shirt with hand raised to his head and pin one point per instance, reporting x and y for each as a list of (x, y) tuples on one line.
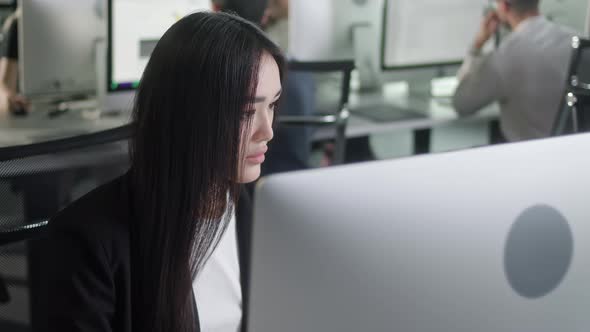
[(526, 75)]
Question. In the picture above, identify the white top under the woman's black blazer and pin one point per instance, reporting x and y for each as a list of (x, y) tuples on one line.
[(217, 287)]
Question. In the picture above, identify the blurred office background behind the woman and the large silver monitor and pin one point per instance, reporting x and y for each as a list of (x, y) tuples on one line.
[(426, 76)]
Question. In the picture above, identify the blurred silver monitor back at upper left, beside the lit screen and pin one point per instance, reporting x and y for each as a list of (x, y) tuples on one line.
[(57, 47)]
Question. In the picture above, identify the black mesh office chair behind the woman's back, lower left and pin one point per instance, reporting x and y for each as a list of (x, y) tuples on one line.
[(36, 181)]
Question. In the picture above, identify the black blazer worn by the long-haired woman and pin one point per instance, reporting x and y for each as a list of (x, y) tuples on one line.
[(90, 277)]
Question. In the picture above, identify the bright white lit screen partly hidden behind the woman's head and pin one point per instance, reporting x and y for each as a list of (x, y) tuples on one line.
[(134, 28)]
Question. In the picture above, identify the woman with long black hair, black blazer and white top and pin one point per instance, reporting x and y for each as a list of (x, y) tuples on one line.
[(127, 254)]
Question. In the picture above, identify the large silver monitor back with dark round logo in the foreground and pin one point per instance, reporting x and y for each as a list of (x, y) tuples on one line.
[(489, 239)]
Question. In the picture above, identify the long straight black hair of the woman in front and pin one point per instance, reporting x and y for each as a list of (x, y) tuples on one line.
[(189, 116)]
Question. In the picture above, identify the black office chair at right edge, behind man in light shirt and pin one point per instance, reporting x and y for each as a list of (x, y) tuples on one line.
[(573, 115)]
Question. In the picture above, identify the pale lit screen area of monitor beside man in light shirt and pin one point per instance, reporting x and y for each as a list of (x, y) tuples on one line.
[(420, 33)]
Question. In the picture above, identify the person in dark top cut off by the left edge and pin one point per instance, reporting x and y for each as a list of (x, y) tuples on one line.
[(10, 100)]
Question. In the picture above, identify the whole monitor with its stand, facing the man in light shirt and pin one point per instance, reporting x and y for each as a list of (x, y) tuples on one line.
[(421, 40)]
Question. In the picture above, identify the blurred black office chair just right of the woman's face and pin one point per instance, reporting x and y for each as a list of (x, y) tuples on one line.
[(337, 115)]
